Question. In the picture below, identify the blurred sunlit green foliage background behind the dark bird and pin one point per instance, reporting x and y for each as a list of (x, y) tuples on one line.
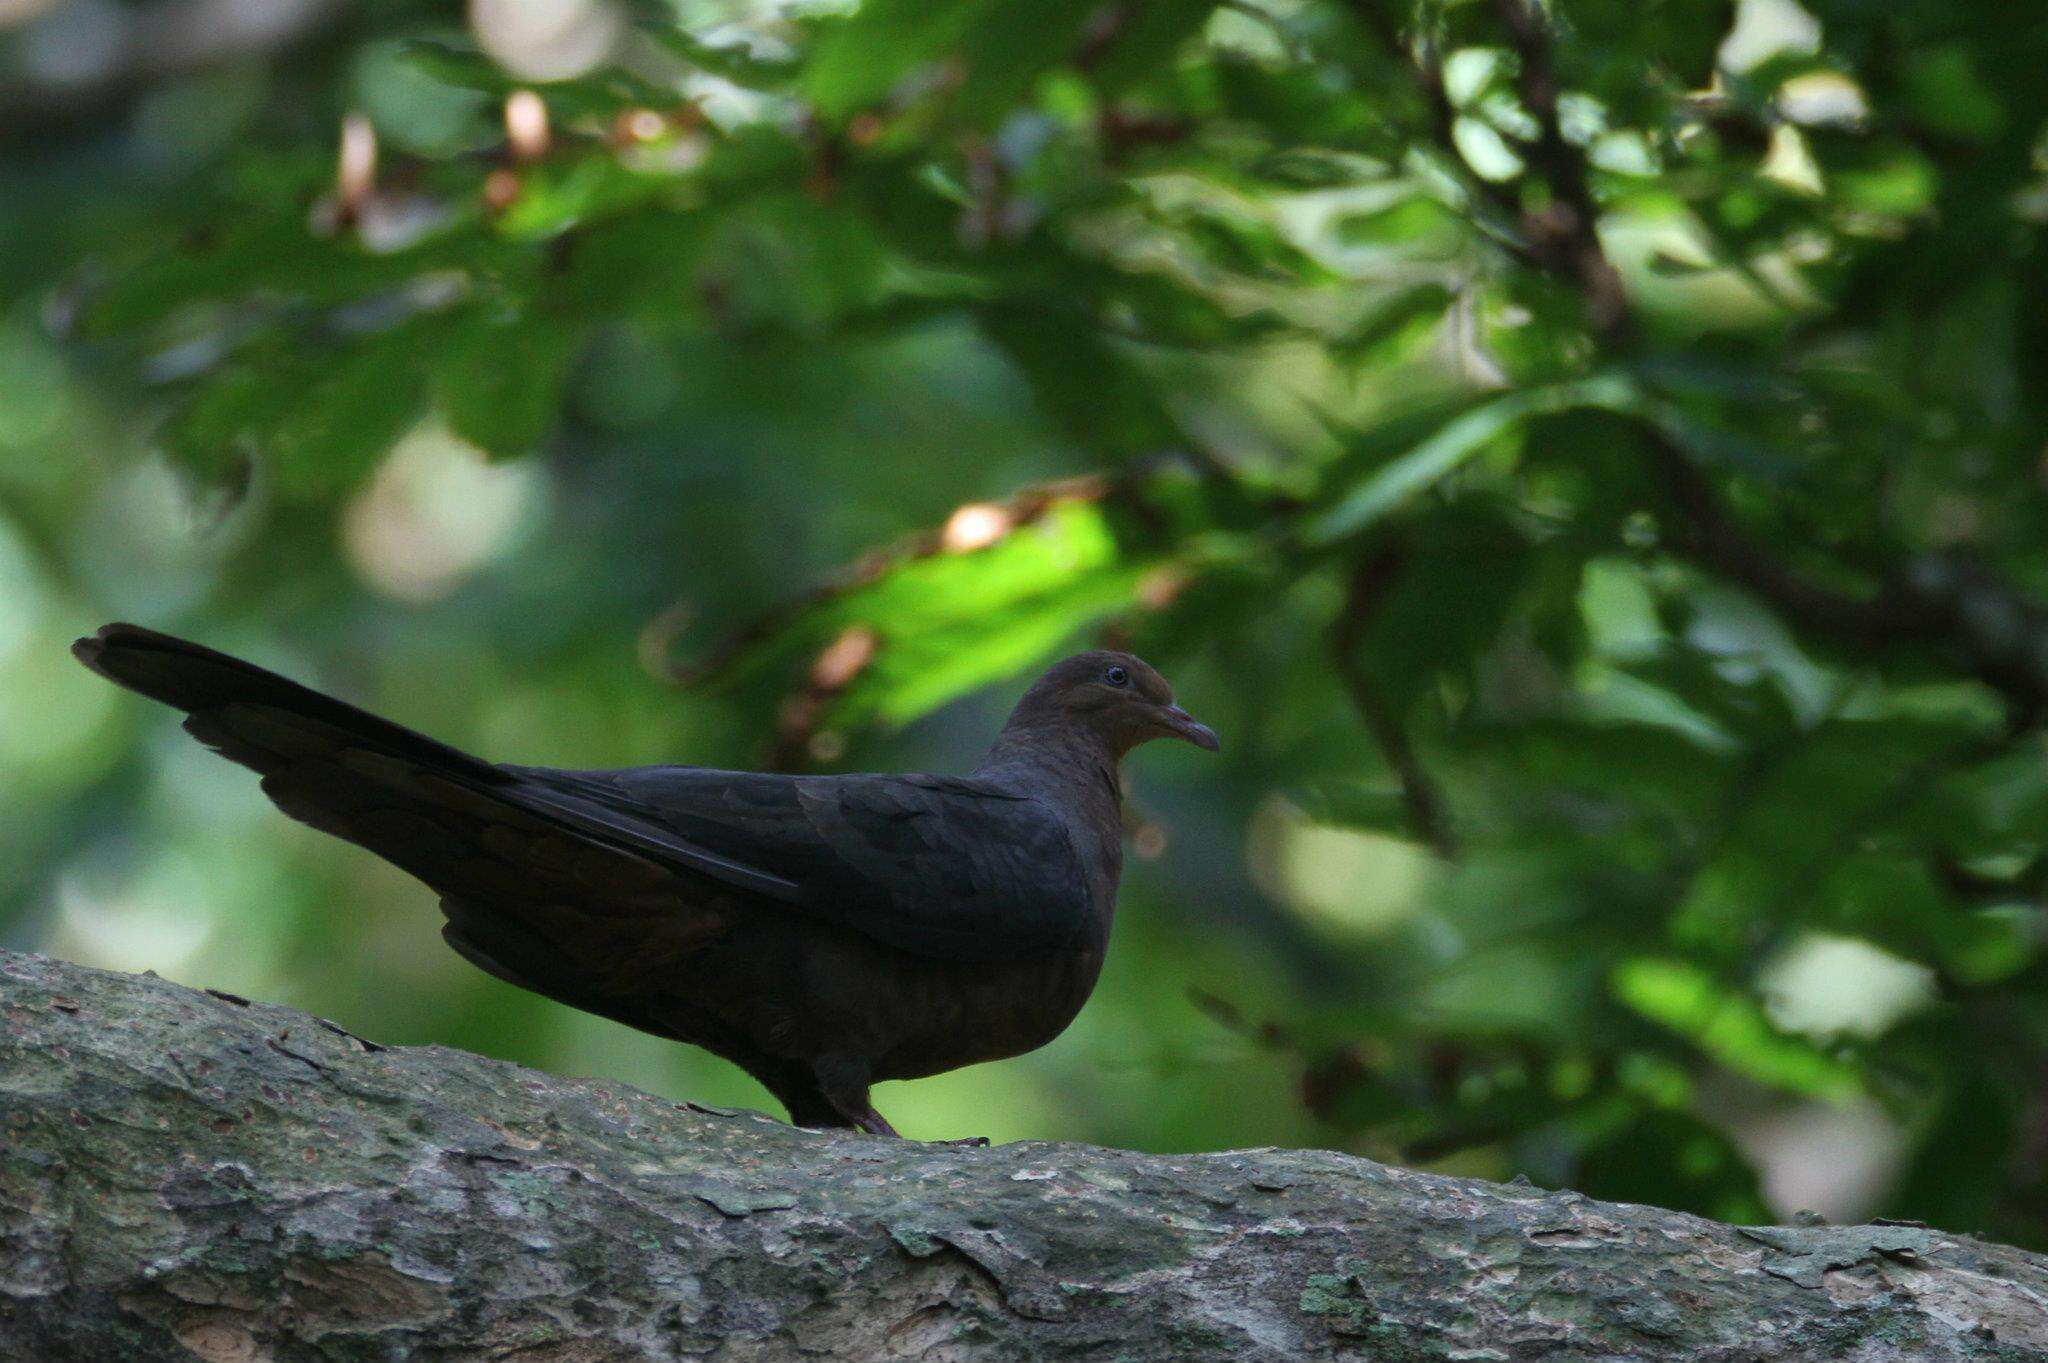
[(1588, 466)]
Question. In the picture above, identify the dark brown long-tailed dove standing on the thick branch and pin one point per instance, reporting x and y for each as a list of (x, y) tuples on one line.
[(820, 932)]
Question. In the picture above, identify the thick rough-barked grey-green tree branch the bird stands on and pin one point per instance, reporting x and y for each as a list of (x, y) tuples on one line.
[(189, 1176)]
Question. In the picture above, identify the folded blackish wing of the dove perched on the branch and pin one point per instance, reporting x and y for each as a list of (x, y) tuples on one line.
[(929, 865)]
